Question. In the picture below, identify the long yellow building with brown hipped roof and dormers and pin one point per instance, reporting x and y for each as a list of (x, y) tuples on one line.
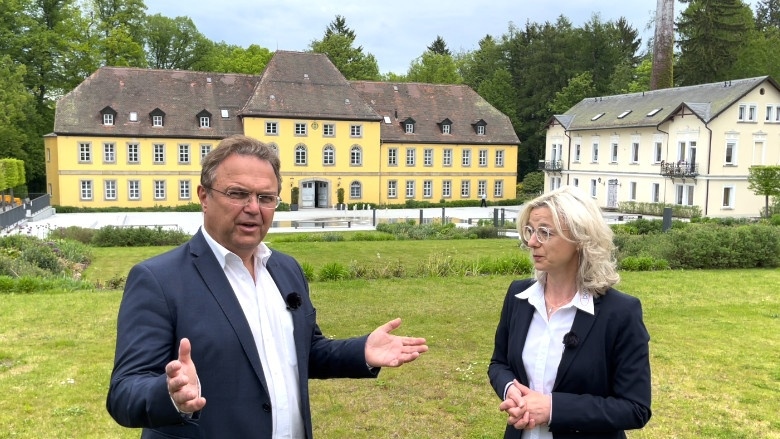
[(129, 137)]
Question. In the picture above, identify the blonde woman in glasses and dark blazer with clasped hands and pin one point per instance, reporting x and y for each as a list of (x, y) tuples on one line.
[(571, 356)]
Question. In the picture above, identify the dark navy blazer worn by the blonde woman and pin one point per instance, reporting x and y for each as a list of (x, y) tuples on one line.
[(602, 385)]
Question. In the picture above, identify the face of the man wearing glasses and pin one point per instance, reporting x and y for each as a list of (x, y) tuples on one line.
[(239, 229)]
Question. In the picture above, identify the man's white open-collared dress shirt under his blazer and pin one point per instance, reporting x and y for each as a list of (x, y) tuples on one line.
[(272, 329)]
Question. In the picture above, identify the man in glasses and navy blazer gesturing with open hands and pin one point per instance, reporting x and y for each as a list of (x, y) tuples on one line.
[(240, 313)]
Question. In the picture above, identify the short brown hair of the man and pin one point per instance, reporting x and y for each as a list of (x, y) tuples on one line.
[(238, 145)]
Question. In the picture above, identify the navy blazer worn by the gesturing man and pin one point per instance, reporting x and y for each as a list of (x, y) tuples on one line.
[(185, 293)]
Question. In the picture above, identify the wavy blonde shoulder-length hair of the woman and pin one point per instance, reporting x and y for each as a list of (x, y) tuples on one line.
[(573, 210)]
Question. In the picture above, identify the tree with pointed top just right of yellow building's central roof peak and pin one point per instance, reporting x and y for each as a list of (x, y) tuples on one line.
[(338, 45)]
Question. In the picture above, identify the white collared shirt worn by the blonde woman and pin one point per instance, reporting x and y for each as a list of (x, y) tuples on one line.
[(544, 344)]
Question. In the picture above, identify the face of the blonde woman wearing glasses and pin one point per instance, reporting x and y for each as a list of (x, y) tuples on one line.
[(556, 256)]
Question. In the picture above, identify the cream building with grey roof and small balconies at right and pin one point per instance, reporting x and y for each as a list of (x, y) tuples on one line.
[(689, 146)]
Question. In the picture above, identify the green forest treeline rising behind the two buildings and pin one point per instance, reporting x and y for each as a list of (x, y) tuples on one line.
[(529, 72)]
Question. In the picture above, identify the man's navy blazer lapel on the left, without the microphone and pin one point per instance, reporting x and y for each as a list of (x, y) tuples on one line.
[(217, 283)]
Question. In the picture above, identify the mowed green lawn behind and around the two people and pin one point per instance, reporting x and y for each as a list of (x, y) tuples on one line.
[(715, 350)]
